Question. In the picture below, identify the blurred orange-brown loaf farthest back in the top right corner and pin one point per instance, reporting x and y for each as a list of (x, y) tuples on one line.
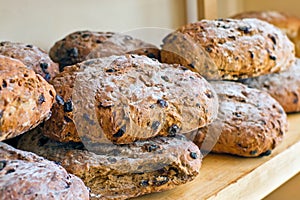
[(290, 24)]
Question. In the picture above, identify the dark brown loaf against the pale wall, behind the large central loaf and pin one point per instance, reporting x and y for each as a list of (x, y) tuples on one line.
[(82, 45)]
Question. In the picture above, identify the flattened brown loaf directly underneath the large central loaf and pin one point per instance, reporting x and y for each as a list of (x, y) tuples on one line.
[(123, 171)]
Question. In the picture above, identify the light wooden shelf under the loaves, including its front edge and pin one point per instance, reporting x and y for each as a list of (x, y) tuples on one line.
[(230, 177)]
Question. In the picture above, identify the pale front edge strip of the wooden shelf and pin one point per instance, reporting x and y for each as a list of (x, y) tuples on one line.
[(265, 178)]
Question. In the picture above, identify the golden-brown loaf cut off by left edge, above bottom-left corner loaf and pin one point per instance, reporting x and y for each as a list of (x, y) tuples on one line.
[(25, 98)]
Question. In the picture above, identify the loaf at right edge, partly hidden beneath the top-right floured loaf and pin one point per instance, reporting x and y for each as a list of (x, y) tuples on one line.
[(283, 86)]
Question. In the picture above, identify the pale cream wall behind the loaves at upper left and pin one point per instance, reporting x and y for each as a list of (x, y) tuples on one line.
[(42, 22)]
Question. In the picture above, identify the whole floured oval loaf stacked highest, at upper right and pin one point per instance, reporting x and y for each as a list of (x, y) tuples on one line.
[(237, 48)]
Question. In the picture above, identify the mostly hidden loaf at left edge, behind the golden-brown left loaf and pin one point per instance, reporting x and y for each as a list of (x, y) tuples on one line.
[(33, 57)]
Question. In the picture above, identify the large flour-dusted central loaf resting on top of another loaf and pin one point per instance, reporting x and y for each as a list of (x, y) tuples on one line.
[(128, 98)]
